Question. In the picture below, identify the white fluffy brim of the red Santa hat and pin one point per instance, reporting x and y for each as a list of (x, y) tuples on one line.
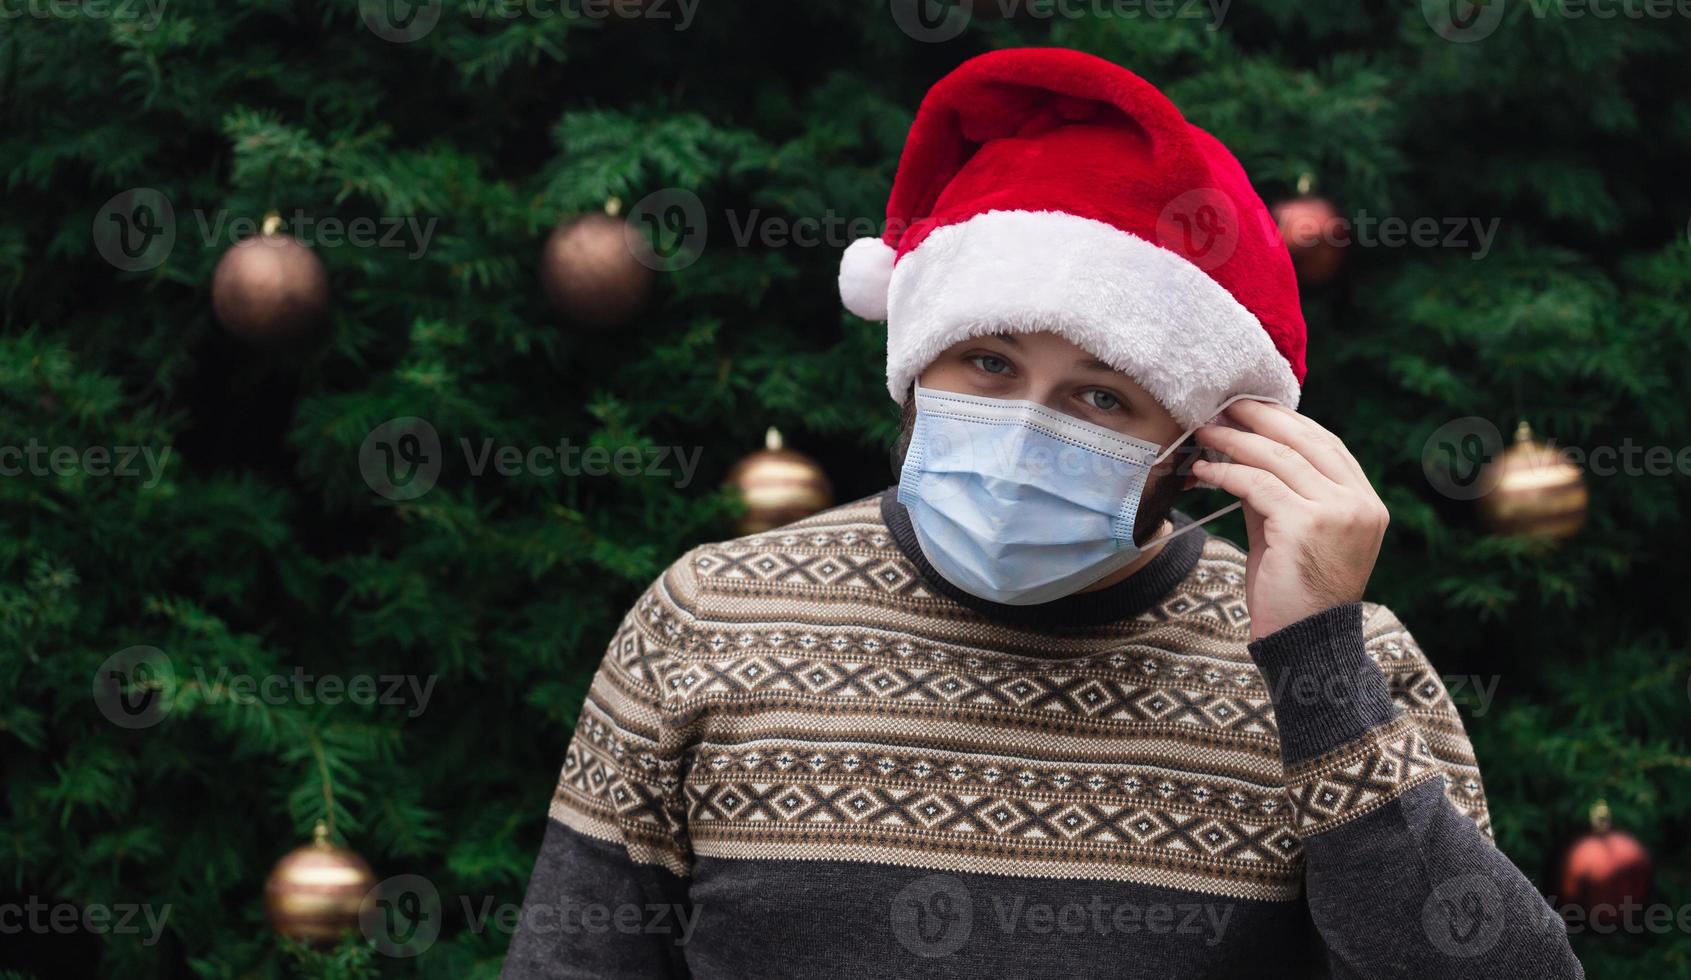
[(1137, 307)]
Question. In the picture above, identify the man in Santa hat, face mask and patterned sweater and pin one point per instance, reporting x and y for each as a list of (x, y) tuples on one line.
[(1015, 716)]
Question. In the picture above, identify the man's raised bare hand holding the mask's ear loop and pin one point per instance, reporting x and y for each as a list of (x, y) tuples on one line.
[(1315, 521)]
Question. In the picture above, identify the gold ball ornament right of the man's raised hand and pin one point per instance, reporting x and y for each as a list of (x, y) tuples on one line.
[(1536, 493)]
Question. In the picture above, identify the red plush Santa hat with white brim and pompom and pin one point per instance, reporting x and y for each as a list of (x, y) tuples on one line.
[(1051, 190)]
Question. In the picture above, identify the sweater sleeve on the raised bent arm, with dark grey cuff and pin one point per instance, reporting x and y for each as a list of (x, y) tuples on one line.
[(1401, 874)]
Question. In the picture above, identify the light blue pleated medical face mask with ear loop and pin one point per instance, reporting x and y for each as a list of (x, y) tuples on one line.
[(1021, 504)]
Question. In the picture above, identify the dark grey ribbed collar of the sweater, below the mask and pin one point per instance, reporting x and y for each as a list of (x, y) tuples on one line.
[(1124, 601)]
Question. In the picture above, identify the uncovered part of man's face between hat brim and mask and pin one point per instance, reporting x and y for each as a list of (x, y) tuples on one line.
[(1051, 371)]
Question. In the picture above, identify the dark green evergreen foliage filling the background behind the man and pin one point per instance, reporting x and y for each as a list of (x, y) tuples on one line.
[(263, 548)]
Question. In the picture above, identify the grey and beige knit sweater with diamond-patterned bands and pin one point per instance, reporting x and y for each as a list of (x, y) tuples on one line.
[(806, 754)]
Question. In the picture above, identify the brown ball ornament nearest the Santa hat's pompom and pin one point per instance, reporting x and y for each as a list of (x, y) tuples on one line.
[(598, 269)]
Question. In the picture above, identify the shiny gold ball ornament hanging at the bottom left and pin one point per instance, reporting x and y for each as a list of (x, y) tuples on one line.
[(317, 893)]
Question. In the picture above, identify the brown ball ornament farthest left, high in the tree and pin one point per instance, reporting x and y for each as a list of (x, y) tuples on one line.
[(270, 290)]
